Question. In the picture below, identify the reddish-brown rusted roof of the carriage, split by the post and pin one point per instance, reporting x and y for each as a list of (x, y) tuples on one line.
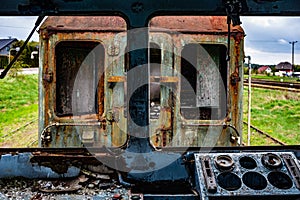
[(113, 23)]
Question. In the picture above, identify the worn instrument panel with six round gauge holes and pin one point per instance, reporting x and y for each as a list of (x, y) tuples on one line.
[(272, 174)]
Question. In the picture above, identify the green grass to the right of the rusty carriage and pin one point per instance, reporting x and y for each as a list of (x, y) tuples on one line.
[(274, 112)]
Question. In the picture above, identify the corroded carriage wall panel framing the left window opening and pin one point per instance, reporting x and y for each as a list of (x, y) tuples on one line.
[(70, 130)]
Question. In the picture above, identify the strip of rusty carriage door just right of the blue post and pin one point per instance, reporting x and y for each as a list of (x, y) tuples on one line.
[(162, 85)]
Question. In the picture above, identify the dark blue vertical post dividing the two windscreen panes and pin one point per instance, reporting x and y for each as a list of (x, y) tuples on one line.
[(138, 91)]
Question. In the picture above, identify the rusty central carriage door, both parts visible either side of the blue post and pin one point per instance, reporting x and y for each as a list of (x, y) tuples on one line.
[(161, 89)]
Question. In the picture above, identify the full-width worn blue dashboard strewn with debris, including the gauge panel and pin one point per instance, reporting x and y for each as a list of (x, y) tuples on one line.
[(217, 173)]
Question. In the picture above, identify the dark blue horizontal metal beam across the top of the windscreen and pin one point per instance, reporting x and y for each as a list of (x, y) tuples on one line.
[(135, 9)]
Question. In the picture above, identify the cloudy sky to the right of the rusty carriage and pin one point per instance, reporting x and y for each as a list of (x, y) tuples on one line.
[(267, 39)]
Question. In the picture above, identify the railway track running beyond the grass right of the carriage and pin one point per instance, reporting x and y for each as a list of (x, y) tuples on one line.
[(274, 85)]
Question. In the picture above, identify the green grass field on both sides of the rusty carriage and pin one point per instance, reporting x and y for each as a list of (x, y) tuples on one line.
[(275, 112)]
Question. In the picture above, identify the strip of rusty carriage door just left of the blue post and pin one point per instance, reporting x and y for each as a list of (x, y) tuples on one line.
[(115, 93)]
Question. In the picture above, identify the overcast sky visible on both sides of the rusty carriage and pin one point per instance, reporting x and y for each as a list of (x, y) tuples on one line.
[(267, 38)]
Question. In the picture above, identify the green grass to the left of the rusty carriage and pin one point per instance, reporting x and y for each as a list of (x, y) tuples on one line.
[(18, 106)]
